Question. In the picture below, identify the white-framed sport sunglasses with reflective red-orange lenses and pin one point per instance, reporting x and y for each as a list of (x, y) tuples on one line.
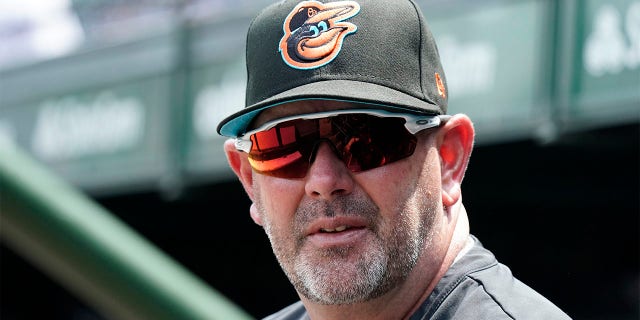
[(362, 139)]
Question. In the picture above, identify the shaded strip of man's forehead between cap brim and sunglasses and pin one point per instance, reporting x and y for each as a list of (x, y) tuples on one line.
[(299, 107)]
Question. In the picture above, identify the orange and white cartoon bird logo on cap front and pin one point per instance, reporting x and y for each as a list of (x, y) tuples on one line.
[(314, 31)]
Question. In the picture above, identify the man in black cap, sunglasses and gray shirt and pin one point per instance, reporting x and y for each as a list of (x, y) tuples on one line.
[(354, 169)]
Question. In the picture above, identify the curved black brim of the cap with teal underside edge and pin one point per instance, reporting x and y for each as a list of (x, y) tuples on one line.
[(379, 97)]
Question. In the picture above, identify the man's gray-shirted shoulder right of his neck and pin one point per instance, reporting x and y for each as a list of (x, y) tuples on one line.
[(479, 287)]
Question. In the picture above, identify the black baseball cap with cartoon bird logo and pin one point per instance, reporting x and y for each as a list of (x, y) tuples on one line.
[(380, 53)]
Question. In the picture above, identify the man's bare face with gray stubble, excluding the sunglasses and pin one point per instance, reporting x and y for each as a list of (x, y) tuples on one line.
[(344, 237)]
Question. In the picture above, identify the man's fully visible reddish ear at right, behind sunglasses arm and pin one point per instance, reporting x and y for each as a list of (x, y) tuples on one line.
[(455, 146)]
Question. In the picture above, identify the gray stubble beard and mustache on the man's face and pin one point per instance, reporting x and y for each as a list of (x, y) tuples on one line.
[(373, 273)]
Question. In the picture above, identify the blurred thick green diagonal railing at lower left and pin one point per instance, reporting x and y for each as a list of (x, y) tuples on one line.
[(92, 253)]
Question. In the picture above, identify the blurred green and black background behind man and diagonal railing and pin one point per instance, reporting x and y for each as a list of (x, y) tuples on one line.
[(121, 100)]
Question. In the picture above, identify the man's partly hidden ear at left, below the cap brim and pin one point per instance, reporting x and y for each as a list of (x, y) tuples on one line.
[(239, 163)]
